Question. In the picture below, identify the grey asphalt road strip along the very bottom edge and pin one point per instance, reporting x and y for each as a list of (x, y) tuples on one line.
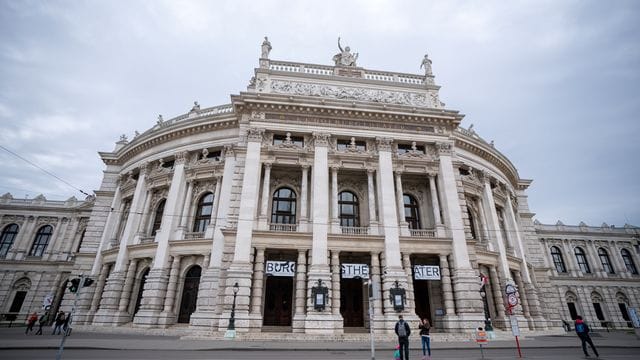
[(466, 354)]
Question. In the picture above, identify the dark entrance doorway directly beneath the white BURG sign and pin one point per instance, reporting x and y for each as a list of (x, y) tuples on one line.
[(277, 302)]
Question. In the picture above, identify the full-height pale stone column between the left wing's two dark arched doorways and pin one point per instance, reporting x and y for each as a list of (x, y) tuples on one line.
[(156, 284)]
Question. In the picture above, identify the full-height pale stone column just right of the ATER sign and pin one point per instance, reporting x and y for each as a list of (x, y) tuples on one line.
[(469, 304)]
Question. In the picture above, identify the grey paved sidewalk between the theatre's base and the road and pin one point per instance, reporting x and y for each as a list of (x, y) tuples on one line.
[(14, 338)]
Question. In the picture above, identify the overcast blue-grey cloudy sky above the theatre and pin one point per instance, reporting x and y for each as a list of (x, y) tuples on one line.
[(556, 84)]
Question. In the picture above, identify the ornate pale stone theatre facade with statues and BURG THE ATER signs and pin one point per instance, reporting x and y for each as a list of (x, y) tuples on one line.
[(316, 189)]
